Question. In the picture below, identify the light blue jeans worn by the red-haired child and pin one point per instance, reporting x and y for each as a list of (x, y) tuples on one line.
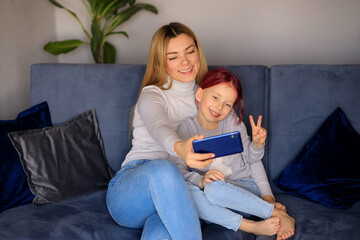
[(225, 203)]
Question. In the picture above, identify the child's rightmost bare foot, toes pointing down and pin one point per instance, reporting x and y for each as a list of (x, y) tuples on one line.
[(287, 225)]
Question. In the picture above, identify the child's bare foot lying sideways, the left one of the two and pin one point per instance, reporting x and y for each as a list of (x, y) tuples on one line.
[(266, 227)]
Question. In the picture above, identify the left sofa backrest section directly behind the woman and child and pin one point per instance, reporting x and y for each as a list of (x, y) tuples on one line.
[(71, 89)]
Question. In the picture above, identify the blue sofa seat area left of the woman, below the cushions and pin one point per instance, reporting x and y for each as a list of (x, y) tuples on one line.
[(85, 217)]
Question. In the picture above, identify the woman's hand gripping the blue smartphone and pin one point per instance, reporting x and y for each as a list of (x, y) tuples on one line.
[(184, 149)]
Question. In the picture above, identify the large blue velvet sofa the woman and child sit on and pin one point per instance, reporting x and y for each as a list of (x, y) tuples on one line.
[(293, 99)]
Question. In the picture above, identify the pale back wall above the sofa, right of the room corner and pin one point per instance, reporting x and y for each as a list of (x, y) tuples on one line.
[(266, 32)]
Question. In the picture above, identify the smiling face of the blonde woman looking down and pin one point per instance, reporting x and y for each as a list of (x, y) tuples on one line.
[(182, 58)]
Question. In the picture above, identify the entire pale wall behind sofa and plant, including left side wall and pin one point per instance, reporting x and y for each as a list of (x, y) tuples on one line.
[(266, 32)]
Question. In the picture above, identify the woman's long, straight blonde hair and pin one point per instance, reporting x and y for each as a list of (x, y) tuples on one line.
[(156, 72)]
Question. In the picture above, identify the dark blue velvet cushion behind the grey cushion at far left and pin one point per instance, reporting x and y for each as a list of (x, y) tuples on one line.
[(13, 184)]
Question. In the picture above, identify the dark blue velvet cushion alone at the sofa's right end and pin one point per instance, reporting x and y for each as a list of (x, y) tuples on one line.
[(327, 169)]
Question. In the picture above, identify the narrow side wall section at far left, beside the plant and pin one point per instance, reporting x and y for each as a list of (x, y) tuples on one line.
[(24, 25)]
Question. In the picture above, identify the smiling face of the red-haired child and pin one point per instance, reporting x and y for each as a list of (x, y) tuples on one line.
[(215, 104)]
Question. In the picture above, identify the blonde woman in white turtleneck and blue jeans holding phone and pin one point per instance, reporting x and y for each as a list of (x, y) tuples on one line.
[(149, 191)]
